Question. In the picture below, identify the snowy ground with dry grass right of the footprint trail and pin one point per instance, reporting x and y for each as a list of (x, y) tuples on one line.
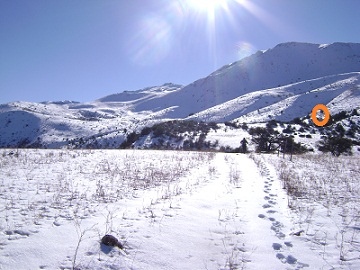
[(327, 209)]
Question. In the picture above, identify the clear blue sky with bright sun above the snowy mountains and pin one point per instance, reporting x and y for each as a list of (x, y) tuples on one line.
[(86, 49)]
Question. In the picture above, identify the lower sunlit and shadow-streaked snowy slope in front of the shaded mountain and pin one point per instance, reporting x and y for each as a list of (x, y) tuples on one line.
[(287, 102)]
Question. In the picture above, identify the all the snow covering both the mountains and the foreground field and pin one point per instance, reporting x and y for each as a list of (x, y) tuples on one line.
[(186, 210)]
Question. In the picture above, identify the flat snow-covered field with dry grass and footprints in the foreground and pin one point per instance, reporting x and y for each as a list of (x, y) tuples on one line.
[(177, 210)]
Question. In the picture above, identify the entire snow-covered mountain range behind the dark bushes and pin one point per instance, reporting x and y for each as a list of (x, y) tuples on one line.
[(280, 83)]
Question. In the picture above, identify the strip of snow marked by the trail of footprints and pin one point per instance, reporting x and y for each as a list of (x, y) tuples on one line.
[(276, 224)]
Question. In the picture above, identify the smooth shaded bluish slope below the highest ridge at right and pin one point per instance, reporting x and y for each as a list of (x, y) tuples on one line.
[(285, 64)]
